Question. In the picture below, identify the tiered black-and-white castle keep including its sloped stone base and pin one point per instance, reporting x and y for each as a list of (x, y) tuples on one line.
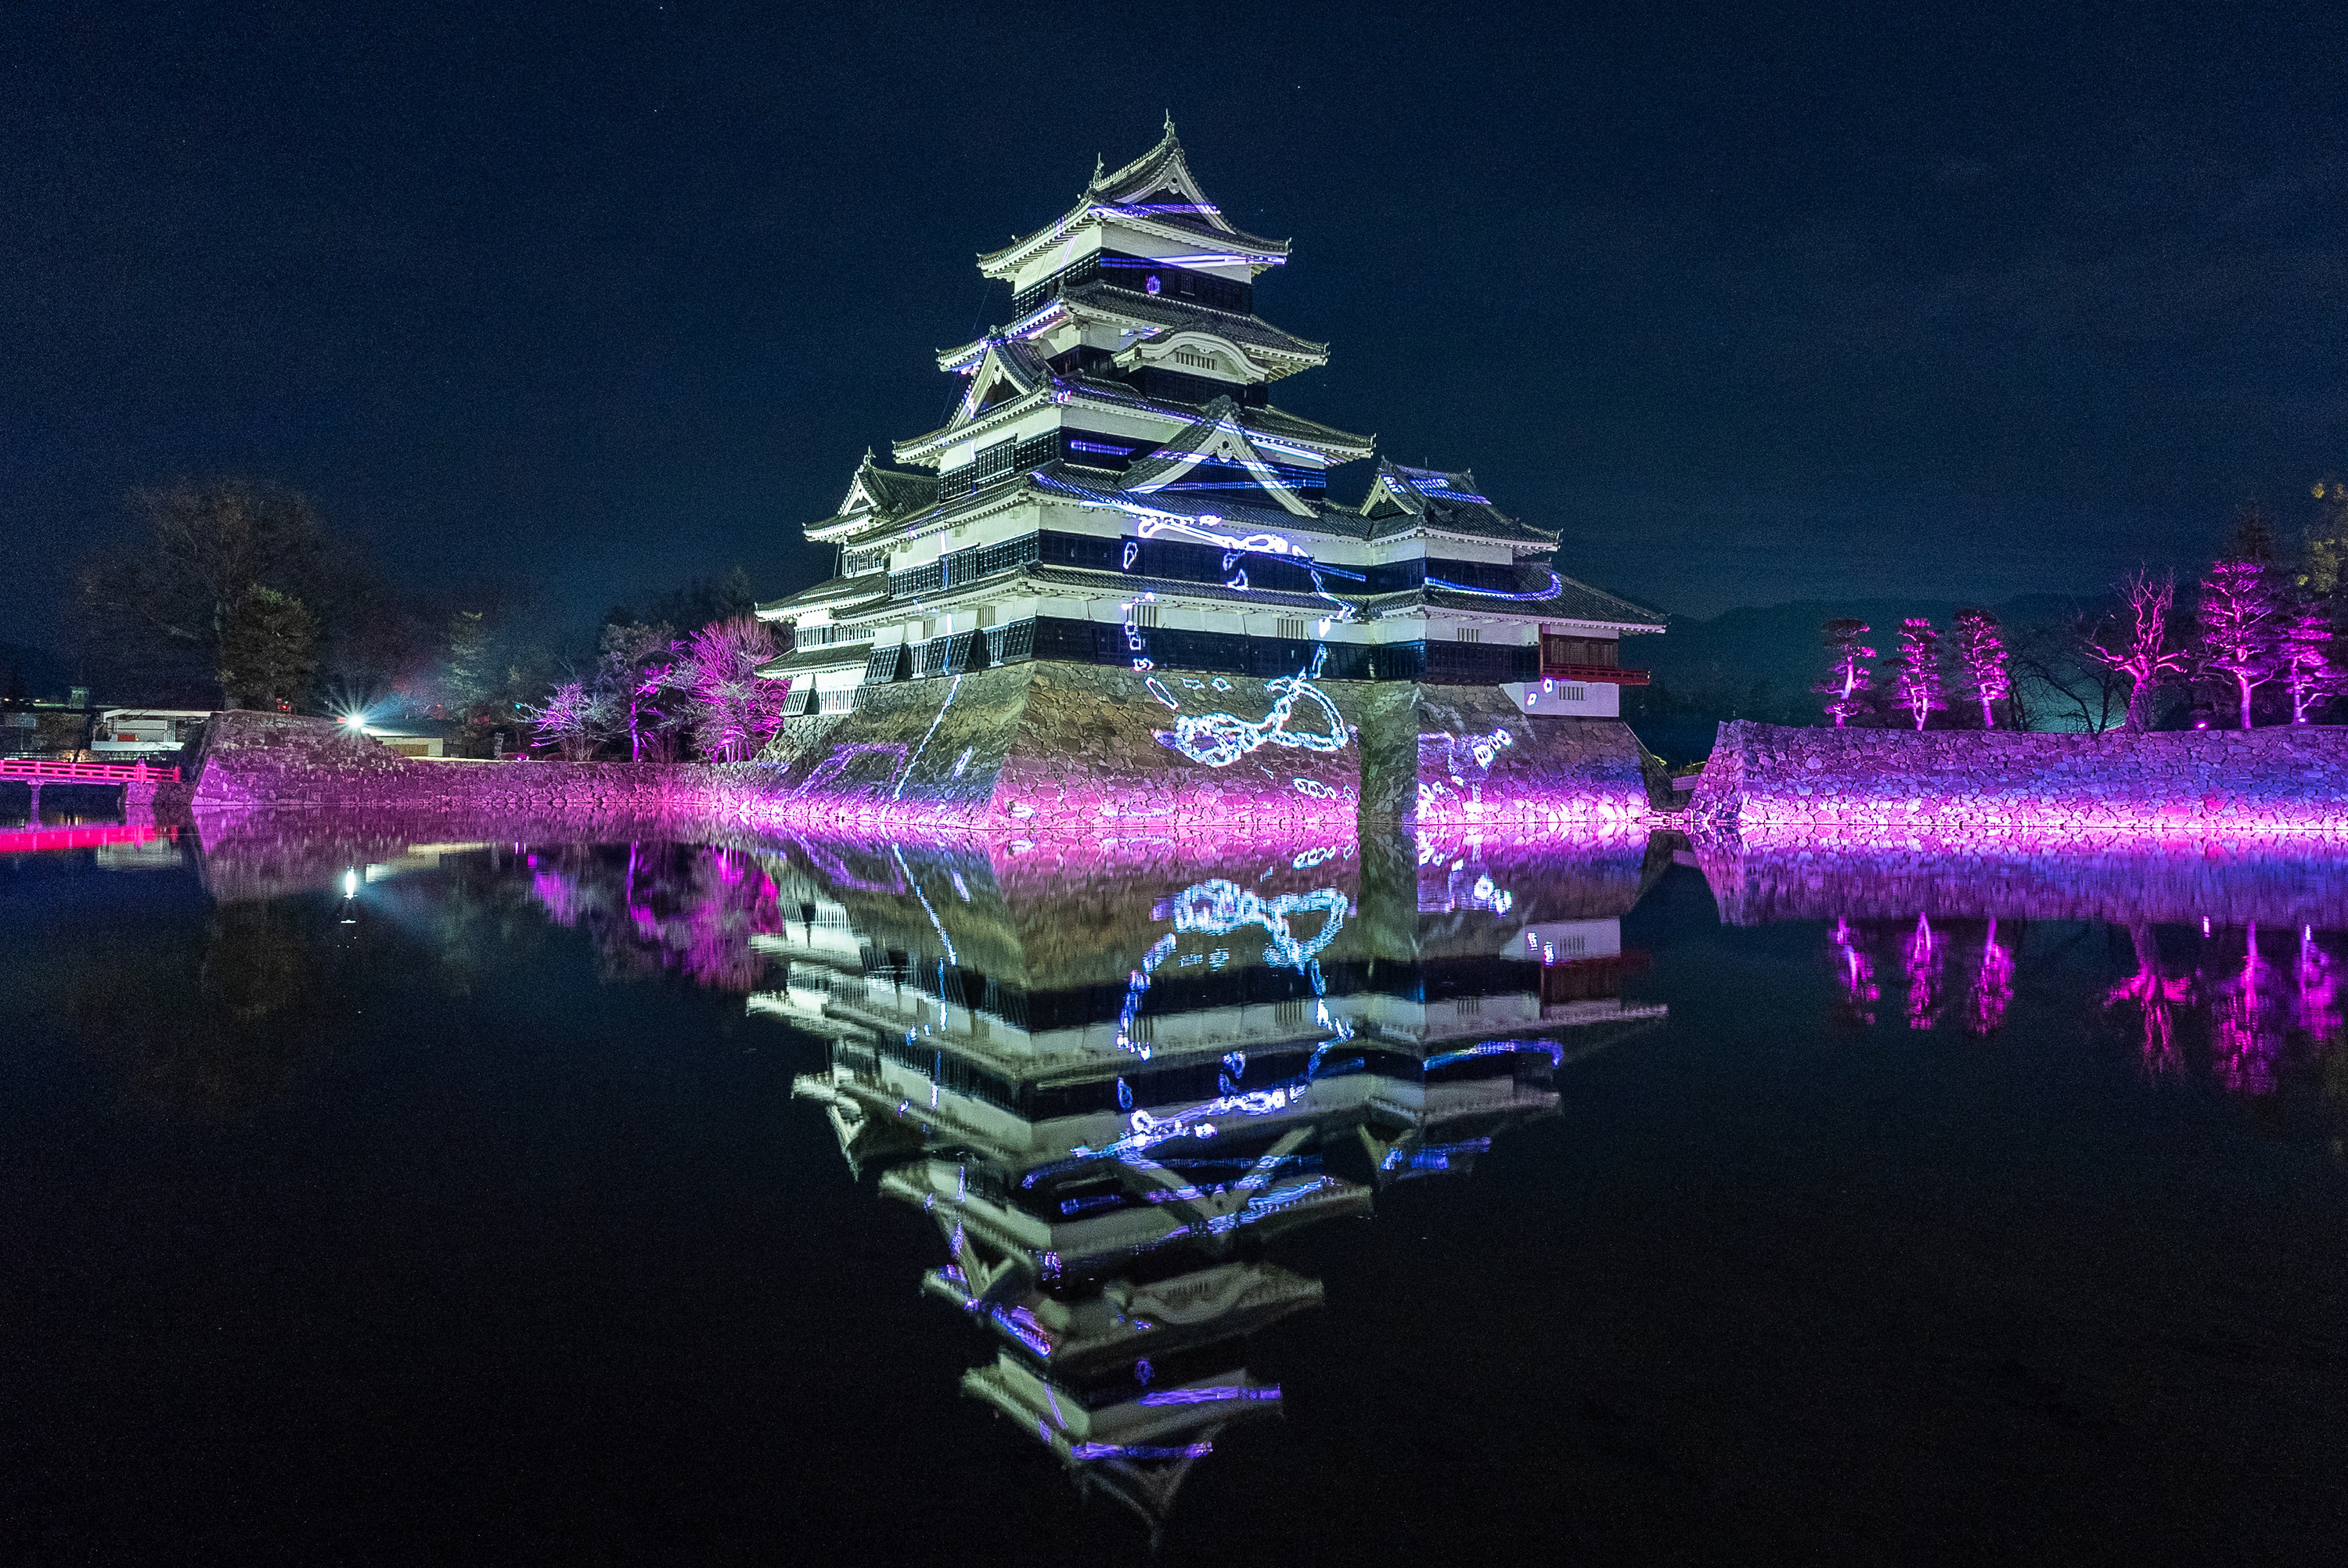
[(1114, 583)]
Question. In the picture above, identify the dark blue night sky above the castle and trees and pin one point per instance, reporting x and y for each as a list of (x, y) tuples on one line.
[(1755, 304)]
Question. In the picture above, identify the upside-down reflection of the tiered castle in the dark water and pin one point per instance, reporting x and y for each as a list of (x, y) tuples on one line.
[(1112, 1093)]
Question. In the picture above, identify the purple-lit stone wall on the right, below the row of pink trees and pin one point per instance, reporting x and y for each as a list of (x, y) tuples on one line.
[(1896, 785)]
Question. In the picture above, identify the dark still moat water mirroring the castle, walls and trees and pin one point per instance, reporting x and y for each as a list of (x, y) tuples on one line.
[(382, 1198)]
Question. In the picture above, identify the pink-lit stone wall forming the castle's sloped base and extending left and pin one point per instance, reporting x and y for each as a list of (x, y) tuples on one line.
[(1027, 752)]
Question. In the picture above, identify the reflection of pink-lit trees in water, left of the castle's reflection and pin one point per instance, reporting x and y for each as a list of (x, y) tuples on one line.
[(663, 907)]
